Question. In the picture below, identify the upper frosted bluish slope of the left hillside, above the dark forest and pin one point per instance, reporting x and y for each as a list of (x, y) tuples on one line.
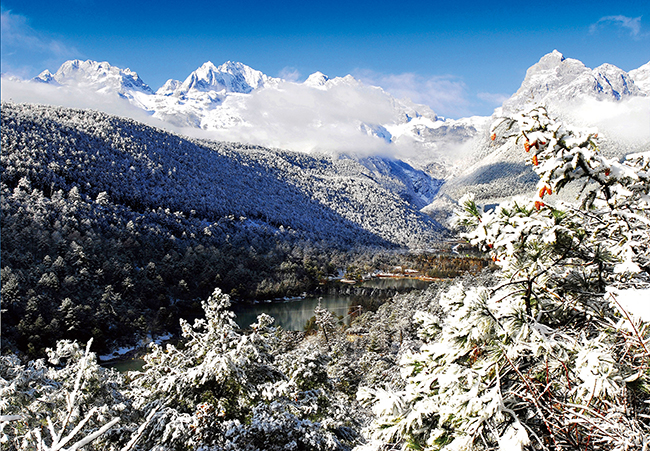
[(322, 198)]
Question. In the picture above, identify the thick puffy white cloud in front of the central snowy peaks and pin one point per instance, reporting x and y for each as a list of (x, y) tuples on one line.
[(302, 118)]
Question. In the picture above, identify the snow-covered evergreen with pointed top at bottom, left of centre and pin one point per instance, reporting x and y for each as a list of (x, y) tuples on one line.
[(231, 390)]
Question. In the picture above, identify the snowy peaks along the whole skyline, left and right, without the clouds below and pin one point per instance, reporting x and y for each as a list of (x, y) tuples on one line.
[(217, 97)]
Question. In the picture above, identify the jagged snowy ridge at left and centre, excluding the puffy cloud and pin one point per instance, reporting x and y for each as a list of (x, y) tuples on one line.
[(218, 97)]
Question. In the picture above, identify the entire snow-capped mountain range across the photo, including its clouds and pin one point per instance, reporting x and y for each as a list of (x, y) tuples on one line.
[(234, 102)]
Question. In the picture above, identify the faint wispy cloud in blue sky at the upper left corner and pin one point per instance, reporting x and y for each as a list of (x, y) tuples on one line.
[(23, 47)]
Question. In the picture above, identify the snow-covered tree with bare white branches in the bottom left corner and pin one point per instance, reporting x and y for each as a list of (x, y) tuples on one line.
[(65, 403)]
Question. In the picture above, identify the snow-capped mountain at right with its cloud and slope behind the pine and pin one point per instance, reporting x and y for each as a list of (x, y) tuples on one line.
[(614, 101)]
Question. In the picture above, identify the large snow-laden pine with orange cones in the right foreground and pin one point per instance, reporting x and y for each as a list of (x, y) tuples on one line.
[(555, 356)]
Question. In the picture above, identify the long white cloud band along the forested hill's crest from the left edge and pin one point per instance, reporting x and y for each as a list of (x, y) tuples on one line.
[(290, 116)]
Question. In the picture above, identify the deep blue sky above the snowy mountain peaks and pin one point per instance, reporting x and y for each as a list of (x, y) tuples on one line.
[(459, 57)]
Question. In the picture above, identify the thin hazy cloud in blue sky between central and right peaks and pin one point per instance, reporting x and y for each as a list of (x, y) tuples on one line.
[(445, 94)]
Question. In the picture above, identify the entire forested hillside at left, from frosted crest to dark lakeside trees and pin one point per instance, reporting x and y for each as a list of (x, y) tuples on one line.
[(109, 226)]
